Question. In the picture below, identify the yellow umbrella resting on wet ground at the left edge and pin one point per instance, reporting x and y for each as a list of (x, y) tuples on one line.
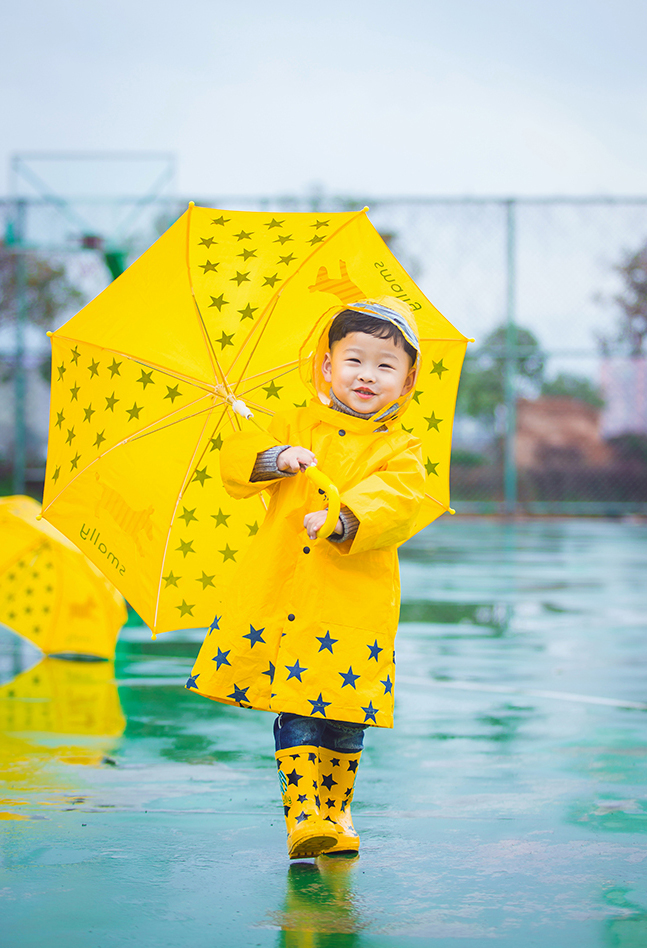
[(50, 593)]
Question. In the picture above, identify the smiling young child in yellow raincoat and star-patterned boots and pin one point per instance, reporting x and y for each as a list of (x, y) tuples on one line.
[(308, 628)]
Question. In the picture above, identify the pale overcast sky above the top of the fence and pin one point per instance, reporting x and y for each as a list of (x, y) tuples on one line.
[(370, 98)]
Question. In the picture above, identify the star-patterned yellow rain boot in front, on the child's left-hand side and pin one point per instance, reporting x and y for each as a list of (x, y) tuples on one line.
[(308, 834)]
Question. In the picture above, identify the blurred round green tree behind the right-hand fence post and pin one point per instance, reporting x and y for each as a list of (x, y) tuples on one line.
[(482, 385)]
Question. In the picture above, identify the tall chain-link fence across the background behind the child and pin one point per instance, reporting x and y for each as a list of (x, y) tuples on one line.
[(552, 411)]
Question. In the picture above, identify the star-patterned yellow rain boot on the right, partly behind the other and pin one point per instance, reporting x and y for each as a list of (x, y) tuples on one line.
[(337, 781)]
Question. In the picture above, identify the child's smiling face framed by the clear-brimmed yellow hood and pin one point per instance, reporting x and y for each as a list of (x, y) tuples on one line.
[(368, 373)]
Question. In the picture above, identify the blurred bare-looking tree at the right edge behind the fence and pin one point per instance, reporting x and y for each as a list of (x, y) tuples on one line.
[(631, 333)]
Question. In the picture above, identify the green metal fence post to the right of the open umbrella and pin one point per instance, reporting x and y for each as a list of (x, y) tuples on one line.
[(509, 459)]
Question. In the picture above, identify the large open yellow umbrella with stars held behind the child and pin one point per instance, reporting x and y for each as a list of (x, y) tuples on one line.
[(152, 375)]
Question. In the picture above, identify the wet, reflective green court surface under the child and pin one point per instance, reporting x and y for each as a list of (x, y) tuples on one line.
[(507, 807)]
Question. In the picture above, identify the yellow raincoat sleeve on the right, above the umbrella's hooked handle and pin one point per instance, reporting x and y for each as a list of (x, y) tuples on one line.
[(387, 502)]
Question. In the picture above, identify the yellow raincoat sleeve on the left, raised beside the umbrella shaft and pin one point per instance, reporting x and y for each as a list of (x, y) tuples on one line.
[(238, 457)]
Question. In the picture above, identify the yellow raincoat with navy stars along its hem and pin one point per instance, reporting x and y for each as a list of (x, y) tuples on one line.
[(308, 627)]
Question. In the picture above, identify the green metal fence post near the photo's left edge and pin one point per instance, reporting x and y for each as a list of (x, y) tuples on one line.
[(20, 378)]
